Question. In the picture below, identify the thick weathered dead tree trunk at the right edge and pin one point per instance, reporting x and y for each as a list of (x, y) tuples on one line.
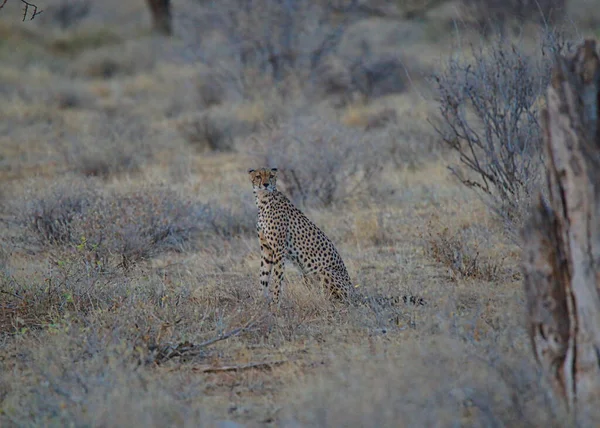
[(562, 239)]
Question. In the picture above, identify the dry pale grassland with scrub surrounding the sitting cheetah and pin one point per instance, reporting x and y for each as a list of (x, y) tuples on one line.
[(129, 264)]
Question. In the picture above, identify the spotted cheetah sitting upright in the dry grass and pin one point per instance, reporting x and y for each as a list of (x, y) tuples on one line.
[(284, 232)]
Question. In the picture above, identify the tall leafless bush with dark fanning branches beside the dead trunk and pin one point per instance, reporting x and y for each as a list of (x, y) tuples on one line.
[(490, 116)]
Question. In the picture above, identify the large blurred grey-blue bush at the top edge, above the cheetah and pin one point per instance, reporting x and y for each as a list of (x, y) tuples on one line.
[(270, 38)]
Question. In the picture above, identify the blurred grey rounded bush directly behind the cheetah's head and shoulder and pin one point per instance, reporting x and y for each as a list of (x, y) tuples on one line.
[(321, 162)]
